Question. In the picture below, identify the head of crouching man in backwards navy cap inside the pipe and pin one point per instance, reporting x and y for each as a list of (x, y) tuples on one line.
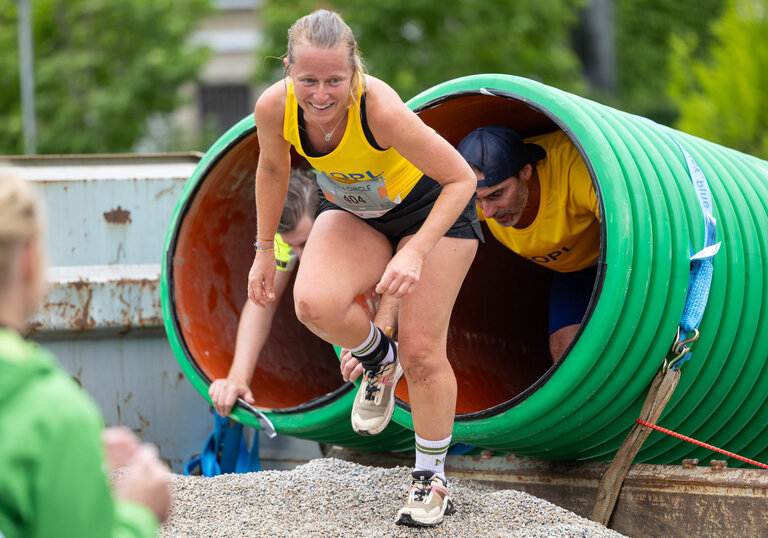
[(503, 164)]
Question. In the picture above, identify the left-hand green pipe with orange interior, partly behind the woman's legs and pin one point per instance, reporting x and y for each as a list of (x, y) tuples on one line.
[(208, 252)]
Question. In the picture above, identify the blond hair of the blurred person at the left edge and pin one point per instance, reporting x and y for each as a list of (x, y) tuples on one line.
[(19, 219)]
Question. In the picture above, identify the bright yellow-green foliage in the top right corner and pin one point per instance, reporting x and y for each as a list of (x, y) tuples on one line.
[(724, 98)]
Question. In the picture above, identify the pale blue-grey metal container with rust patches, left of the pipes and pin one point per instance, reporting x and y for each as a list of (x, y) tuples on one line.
[(102, 315)]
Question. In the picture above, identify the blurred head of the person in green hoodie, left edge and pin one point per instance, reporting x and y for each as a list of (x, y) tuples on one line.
[(22, 282)]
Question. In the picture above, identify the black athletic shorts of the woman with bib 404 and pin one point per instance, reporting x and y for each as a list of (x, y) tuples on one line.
[(408, 216)]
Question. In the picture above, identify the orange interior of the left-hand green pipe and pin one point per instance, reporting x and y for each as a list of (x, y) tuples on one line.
[(210, 267)]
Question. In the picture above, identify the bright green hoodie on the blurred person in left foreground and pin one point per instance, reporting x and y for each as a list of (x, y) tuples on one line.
[(52, 461)]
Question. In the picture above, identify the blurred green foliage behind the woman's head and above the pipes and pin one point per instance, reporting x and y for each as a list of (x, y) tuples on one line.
[(415, 44)]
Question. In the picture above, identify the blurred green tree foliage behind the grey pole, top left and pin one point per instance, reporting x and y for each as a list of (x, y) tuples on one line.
[(102, 67)]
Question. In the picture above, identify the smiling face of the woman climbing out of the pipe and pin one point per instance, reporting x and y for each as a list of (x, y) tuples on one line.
[(321, 80)]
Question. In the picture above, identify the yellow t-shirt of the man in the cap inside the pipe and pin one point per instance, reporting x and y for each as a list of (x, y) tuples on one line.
[(565, 235)]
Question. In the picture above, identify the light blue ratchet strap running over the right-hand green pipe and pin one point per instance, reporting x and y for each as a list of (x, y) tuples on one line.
[(700, 278)]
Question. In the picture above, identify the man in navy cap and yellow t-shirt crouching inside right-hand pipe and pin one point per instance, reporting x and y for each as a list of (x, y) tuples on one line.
[(537, 198)]
